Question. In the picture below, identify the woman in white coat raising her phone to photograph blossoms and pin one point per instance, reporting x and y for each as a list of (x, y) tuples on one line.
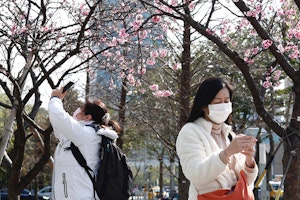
[(70, 180)]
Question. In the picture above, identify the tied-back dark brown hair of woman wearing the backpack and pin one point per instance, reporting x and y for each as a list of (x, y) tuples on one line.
[(97, 109)]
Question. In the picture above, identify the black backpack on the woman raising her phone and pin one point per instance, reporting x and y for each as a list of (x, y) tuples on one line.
[(114, 176)]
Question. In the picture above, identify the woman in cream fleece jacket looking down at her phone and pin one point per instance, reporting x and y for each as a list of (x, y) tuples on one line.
[(209, 160)]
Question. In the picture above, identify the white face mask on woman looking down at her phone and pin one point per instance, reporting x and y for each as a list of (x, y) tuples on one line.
[(218, 113)]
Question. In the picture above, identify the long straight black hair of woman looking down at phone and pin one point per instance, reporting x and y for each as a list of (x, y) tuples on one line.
[(207, 91)]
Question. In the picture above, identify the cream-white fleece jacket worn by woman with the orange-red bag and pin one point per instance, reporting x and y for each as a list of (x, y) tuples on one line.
[(201, 164)]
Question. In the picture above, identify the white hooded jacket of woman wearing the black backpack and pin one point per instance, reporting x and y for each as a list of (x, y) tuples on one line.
[(70, 180)]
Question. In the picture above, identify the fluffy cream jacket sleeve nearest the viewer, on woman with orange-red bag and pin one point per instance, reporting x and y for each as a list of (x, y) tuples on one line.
[(199, 164)]
